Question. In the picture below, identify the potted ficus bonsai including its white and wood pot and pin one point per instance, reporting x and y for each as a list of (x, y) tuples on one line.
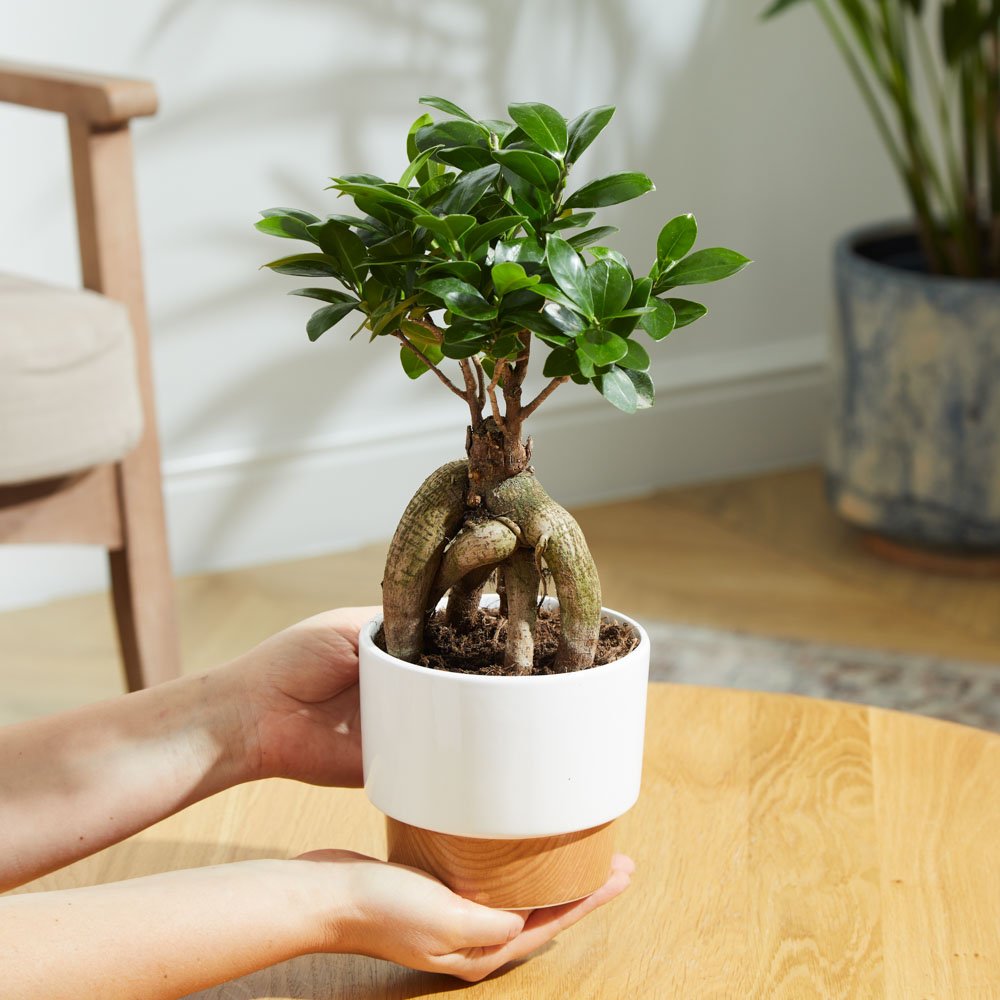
[(477, 260)]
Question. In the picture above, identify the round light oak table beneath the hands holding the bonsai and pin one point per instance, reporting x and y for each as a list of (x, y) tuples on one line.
[(786, 847)]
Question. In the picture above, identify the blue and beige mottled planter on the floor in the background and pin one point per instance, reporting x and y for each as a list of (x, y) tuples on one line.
[(914, 449)]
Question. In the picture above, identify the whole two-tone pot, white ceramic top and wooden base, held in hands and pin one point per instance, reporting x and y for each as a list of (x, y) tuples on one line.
[(504, 788)]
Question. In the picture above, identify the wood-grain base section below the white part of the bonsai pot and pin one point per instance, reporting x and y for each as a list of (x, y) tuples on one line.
[(509, 874)]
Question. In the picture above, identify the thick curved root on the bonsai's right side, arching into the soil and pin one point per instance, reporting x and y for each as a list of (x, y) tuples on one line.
[(553, 533)]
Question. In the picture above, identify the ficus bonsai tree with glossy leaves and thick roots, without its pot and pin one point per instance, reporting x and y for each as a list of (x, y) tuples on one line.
[(474, 257)]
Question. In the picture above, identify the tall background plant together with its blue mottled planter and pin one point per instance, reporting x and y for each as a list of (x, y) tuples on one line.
[(914, 451)]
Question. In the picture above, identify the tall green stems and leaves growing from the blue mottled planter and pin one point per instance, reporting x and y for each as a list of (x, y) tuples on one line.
[(948, 157)]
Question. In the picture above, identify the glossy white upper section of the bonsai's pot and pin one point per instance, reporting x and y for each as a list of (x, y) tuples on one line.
[(502, 757)]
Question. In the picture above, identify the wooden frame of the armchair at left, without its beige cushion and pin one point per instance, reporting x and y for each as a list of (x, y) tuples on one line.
[(117, 504)]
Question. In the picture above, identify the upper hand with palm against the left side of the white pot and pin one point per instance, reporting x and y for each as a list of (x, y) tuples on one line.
[(300, 711)]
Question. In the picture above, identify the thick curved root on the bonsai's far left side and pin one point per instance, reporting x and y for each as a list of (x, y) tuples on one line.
[(430, 518)]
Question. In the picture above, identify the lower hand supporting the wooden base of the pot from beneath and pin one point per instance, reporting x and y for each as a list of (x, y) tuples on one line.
[(403, 915)]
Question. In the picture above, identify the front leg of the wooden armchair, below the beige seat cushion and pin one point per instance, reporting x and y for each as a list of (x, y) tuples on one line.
[(141, 581)]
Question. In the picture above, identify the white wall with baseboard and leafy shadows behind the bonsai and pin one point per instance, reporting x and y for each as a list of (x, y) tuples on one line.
[(275, 447)]
